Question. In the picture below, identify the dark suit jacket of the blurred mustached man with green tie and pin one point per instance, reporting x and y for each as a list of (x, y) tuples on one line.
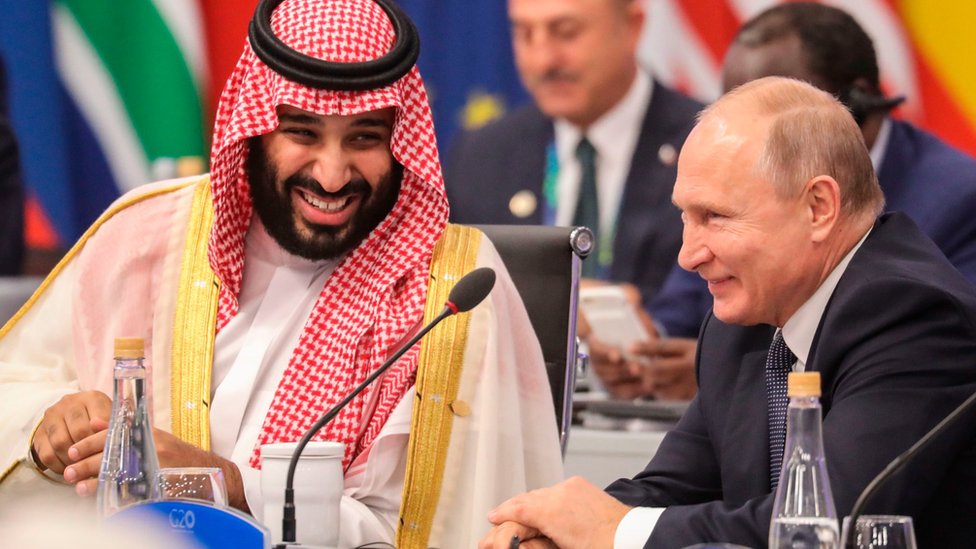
[(486, 167)]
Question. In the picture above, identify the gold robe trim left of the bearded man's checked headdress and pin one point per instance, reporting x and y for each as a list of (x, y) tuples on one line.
[(193, 330)]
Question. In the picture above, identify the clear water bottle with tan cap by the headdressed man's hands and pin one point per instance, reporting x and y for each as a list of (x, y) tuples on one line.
[(129, 462)]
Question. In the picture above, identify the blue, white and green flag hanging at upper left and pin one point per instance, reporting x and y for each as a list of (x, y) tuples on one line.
[(105, 97)]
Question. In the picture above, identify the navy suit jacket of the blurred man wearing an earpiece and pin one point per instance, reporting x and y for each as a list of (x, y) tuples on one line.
[(920, 175)]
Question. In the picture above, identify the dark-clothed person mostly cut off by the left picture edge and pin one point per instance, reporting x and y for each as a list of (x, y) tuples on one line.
[(11, 191)]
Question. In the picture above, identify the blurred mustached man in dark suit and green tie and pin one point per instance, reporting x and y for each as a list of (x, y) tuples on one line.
[(577, 58)]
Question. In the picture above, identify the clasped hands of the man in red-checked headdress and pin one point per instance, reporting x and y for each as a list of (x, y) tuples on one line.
[(71, 437)]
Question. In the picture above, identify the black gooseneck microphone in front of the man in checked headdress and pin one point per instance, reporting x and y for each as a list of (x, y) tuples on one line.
[(471, 290)]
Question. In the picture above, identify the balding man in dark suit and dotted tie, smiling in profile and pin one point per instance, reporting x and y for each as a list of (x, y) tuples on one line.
[(780, 203)]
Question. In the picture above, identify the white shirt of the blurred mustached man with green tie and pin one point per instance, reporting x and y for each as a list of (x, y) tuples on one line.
[(614, 136)]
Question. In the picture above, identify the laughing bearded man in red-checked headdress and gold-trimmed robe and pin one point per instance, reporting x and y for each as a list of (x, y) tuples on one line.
[(266, 291)]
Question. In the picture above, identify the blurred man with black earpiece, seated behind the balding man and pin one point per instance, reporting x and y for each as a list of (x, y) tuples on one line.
[(920, 175)]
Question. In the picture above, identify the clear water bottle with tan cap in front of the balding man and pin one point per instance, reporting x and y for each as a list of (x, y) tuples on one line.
[(804, 516)]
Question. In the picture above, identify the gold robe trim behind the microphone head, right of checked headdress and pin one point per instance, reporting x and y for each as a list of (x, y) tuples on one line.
[(438, 376)]
